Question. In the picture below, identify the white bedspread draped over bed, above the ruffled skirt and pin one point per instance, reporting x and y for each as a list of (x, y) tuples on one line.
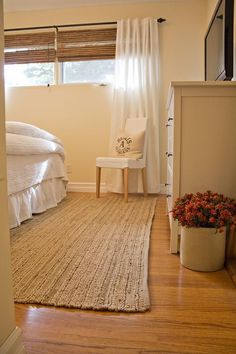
[(33, 155)]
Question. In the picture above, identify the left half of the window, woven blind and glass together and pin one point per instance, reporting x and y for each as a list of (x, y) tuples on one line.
[(29, 59)]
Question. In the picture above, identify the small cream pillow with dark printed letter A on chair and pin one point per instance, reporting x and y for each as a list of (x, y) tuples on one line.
[(129, 145)]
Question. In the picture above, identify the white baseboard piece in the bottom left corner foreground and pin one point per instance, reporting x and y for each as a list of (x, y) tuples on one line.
[(13, 344)]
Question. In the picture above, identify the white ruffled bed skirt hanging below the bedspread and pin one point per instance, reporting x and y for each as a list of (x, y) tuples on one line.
[(36, 199)]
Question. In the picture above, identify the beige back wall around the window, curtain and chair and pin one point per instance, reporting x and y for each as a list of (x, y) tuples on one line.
[(80, 114)]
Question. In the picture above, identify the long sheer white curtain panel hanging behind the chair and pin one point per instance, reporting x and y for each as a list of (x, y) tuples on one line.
[(136, 95)]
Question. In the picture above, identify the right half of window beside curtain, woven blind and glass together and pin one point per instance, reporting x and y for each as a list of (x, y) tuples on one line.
[(87, 55)]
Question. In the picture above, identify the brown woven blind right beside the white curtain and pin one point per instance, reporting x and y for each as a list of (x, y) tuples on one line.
[(90, 44)]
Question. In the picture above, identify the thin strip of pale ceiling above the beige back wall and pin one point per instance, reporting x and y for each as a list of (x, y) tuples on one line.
[(24, 5)]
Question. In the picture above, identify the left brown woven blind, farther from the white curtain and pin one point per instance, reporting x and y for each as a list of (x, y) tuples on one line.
[(30, 48)]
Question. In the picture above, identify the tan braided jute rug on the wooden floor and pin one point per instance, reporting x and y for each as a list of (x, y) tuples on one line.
[(87, 253)]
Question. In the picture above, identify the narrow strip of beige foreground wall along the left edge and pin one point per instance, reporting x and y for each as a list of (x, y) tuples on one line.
[(7, 320)]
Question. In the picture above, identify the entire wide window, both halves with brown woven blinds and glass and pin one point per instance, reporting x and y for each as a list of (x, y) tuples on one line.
[(82, 56)]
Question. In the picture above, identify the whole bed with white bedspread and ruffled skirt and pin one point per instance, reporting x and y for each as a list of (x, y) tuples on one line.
[(35, 168)]
